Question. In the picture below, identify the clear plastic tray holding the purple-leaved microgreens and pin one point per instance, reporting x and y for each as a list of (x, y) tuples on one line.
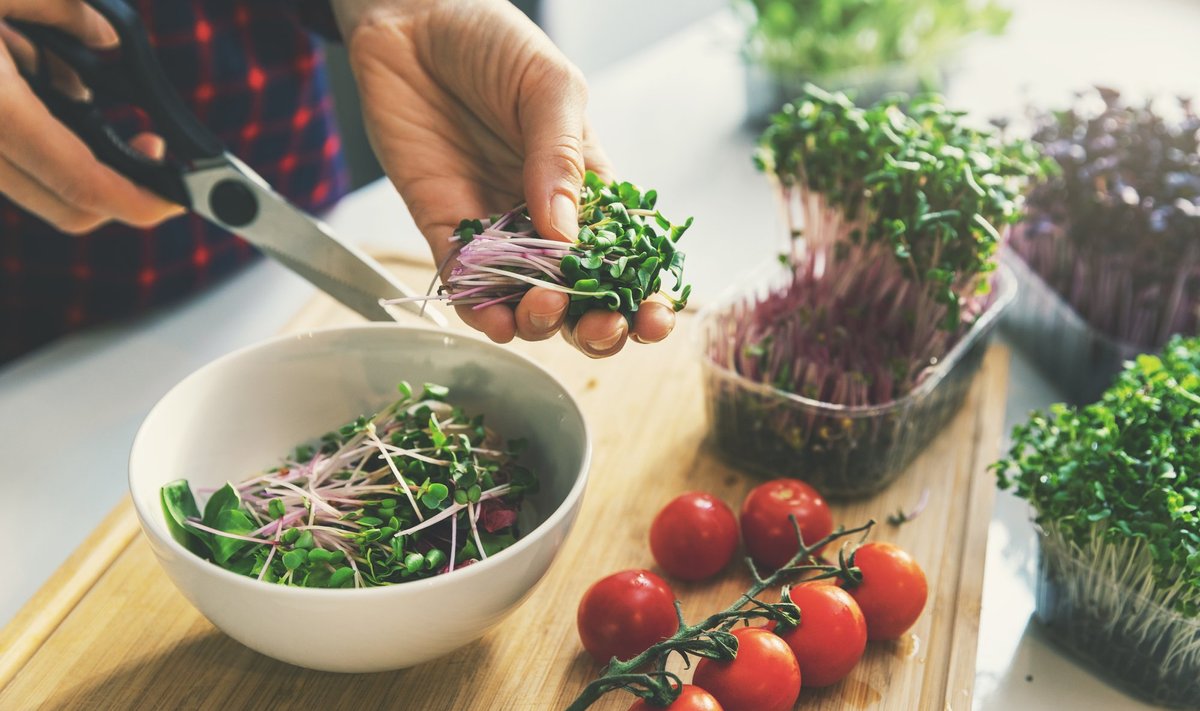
[(1073, 355)]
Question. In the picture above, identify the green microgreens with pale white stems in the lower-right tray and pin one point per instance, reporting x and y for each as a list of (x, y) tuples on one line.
[(1114, 489)]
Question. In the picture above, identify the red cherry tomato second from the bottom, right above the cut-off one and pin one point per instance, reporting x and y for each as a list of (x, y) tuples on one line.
[(765, 676)]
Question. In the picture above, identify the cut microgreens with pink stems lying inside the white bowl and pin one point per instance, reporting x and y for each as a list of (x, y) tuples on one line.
[(416, 491)]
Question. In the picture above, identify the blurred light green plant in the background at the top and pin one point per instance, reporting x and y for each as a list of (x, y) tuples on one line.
[(868, 46)]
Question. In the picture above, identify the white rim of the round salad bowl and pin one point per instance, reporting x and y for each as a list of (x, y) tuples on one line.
[(466, 573)]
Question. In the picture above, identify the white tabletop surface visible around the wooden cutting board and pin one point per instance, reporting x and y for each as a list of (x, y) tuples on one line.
[(673, 118)]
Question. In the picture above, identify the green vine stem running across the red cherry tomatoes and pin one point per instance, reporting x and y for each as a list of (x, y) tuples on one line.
[(711, 637)]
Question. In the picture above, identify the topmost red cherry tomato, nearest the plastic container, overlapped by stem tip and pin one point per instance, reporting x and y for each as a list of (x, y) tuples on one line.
[(767, 533)]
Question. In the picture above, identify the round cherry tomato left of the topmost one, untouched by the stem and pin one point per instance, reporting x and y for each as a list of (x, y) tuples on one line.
[(694, 536)]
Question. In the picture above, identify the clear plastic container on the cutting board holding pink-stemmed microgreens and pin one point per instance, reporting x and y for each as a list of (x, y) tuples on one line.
[(844, 452)]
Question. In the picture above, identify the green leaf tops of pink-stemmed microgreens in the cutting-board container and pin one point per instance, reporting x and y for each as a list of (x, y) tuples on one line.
[(921, 181)]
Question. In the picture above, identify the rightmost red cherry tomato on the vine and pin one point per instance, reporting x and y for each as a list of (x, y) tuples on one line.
[(893, 591)]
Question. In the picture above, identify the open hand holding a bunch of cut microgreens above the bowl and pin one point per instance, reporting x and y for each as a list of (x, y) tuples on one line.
[(472, 110)]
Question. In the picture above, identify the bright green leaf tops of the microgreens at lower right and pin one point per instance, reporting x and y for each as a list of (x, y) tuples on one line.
[(1124, 469)]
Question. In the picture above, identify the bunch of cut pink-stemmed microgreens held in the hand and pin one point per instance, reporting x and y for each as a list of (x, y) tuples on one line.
[(623, 248)]
